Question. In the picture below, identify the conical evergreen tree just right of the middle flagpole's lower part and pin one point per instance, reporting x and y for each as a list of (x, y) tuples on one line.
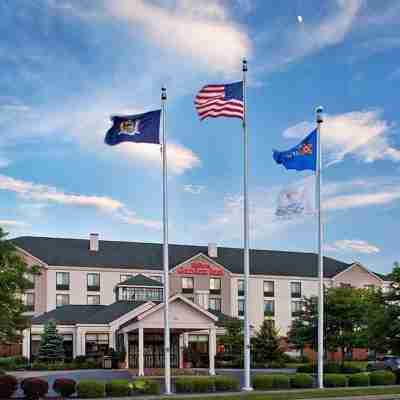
[(266, 344)]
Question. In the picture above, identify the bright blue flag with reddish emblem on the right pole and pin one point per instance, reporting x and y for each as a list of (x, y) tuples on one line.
[(301, 157)]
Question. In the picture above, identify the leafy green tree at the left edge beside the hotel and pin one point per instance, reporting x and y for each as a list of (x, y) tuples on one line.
[(13, 282)]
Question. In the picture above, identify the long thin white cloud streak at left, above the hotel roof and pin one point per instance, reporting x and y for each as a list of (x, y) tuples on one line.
[(50, 194)]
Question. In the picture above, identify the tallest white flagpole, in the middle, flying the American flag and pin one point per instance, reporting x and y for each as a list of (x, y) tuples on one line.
[(247, 382)]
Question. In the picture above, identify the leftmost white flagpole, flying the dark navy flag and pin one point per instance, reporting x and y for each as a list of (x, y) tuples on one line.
[(167, 359)]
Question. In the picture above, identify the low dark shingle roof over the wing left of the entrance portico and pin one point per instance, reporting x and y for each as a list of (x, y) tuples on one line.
[(87, 314)]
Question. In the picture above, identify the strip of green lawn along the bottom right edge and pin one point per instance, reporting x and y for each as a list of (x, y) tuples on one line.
[(309, 394)]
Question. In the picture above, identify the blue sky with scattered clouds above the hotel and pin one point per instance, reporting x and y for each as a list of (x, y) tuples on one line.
[(67, 65)]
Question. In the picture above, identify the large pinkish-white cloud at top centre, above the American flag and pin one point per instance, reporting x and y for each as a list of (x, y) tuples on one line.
[(199, 30)]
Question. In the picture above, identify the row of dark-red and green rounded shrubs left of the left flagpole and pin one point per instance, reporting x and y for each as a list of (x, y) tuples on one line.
[(36, 388)]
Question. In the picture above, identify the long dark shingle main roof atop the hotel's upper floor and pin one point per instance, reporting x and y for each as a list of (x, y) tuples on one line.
[(75, 252)]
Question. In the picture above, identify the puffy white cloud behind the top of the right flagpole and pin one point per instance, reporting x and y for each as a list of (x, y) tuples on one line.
[(362, 134)]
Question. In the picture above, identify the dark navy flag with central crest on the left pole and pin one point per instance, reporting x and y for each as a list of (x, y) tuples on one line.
[(139, 128)]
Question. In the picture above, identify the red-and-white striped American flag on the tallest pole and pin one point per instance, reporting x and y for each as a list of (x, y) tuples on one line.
[(220, 101)]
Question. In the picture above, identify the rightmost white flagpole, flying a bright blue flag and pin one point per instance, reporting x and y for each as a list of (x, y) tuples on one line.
[(319, 120)]
